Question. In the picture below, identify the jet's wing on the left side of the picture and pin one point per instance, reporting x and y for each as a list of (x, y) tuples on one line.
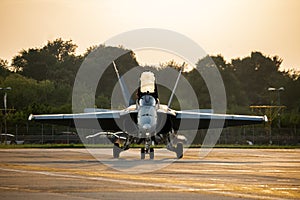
[(108, 120)]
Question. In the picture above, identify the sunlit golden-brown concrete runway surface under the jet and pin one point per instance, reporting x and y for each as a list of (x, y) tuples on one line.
[(76, 174)]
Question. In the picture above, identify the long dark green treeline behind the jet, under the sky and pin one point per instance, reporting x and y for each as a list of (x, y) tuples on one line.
[(42, 80)]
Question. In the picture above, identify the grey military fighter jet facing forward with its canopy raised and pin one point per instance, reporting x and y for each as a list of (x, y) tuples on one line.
[(147, 122)]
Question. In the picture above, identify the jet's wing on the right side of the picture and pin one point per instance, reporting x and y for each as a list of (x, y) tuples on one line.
[(187, 120)]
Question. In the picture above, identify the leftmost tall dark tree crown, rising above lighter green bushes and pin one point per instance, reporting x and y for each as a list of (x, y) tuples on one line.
[(55, 61)]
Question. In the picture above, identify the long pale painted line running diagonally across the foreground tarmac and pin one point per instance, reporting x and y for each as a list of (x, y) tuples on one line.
[(181, 188)]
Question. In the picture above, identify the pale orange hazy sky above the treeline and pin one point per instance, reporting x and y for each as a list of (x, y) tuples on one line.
[(232, 28)]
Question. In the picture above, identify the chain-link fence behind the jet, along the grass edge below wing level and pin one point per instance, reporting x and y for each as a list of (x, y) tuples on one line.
[(34, 133)]
